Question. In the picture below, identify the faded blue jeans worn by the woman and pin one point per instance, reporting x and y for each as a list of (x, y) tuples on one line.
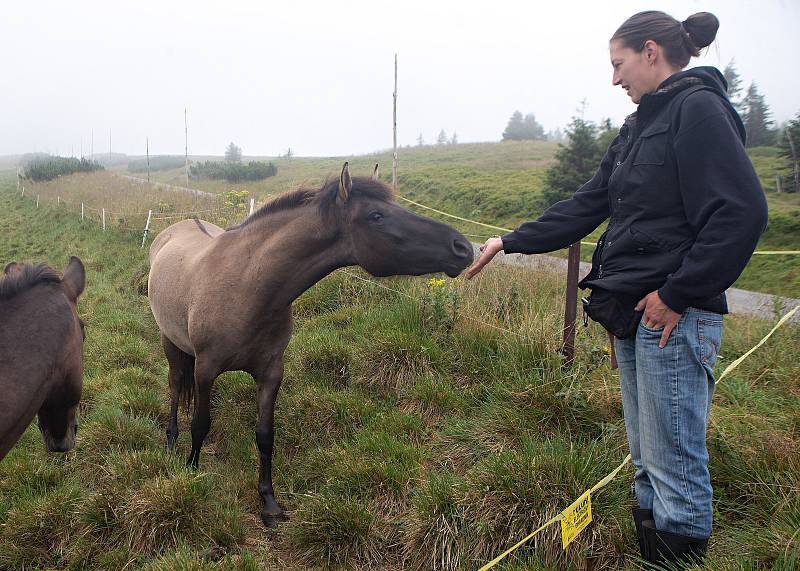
[(666, 398)]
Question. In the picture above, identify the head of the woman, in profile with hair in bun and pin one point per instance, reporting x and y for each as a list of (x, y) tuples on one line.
[(650, 46)]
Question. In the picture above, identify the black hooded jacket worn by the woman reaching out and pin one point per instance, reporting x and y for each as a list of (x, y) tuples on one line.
[(686, 208)]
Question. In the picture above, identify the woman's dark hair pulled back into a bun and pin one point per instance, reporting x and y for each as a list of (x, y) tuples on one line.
[(681, 40)]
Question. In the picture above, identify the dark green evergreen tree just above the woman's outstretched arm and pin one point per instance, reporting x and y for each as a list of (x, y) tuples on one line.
[(576, 162)]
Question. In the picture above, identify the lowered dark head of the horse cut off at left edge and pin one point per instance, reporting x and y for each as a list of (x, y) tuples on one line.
[(57, 416)]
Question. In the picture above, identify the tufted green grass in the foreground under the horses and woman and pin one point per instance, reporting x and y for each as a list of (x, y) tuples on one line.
[(408, 436)]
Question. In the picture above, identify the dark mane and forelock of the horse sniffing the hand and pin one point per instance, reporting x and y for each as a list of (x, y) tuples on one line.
[(324, 197)]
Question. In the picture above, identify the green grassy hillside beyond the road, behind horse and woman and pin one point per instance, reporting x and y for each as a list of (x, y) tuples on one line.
[(499, 183)]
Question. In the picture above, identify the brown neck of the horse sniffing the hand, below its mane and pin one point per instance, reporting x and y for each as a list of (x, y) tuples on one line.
[(290, 251)]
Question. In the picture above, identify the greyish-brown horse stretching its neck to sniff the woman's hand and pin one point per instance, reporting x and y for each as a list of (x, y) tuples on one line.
[(222, 299)]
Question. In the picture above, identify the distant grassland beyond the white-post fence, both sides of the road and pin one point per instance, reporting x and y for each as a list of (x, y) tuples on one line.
[(494, 183)]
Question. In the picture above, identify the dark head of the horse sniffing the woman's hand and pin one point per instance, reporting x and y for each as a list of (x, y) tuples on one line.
[(388, 240)]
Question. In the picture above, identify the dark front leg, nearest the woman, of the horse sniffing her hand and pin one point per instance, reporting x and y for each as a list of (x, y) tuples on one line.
[(268, 382)]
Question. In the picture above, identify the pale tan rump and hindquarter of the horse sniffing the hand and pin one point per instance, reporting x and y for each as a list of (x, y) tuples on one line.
[(176, 257)]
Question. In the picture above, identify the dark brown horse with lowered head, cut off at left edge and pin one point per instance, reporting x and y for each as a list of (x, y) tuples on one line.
[(41, 353)]
